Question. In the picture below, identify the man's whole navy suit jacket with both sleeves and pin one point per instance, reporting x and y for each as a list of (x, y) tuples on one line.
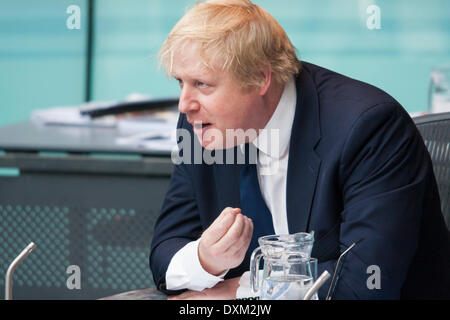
[(358, 168)]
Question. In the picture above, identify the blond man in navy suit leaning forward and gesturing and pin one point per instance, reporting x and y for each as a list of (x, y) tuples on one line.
[(348, 163)]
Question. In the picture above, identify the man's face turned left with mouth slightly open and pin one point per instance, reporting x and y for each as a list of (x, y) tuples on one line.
[(213, 102)]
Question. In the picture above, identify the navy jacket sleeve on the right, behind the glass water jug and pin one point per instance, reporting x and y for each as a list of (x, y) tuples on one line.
[(384, 173)]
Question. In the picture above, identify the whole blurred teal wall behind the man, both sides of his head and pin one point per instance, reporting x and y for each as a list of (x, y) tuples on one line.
[(44, 64)]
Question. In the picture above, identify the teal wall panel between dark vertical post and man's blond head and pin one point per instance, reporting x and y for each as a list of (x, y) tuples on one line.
[(128, 38)]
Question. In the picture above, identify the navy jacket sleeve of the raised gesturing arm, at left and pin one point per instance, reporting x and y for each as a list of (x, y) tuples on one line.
[(178, 224)]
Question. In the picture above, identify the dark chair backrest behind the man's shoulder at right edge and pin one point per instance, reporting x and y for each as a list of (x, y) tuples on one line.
[(435, 131)]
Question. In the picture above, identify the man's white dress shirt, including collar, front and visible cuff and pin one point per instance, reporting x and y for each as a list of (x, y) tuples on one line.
[(185, 270)]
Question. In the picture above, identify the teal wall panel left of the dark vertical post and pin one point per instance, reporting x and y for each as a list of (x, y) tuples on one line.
[(42, 62)]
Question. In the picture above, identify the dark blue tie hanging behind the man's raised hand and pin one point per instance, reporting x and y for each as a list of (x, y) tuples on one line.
[(253, 205)]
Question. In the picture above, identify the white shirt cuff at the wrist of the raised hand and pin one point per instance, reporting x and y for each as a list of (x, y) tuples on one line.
[(186, 272)]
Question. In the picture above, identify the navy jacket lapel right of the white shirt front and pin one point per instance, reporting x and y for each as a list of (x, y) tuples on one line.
[(304, 163)]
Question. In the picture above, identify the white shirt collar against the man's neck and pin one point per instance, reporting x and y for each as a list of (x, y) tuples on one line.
[(268, 141)]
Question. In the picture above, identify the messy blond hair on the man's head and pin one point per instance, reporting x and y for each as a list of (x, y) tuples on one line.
[(236, 36)]
